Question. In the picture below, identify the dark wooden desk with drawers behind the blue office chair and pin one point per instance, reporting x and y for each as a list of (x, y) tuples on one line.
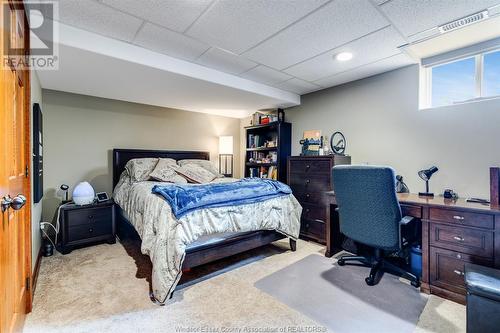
[(453, 232)]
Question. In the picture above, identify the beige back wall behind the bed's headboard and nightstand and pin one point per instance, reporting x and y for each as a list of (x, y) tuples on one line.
[(81, 131)]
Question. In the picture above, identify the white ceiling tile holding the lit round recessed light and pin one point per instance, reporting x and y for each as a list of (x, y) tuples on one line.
[(370, 48)]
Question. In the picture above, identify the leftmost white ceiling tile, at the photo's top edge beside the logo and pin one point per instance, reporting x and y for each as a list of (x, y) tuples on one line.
[(95, 17)]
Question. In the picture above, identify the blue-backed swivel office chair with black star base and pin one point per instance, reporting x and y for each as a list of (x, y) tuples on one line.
[(370, 214)]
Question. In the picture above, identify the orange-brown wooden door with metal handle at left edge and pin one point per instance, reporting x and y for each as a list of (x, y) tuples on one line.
[(15, 229)]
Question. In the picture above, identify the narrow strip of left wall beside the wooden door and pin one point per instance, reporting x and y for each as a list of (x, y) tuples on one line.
[(36, 208)]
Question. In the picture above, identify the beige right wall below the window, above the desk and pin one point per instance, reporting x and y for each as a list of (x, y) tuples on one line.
[(382, 123)]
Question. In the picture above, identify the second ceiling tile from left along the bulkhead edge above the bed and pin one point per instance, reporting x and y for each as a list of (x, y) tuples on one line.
[(168, 42)]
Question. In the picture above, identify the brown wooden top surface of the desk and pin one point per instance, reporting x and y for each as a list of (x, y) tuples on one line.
[(438, 201)]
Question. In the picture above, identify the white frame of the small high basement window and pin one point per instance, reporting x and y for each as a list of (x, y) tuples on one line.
[(426, 80)]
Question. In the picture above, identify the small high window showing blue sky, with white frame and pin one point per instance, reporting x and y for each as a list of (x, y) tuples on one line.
[(468, 79)]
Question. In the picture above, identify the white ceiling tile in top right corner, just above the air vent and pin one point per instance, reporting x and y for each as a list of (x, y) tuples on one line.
[(412, 17)]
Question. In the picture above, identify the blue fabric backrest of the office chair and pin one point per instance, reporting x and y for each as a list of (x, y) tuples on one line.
[(369, 210)]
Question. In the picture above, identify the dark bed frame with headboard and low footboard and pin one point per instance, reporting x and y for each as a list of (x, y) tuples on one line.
[(197, 255)]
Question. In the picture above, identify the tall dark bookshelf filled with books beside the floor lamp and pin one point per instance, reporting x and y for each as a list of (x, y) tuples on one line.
[(267, 149)]
